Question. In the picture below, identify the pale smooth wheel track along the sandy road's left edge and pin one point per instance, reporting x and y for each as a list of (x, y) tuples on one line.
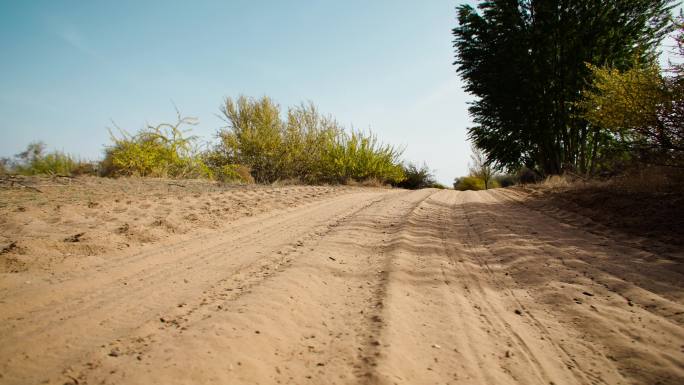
[(114, 308)]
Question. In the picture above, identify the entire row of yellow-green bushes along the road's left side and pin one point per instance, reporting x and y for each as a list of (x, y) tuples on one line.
[(257, 145)]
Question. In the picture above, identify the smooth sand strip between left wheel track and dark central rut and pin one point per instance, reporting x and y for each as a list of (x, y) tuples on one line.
[(330, 341)]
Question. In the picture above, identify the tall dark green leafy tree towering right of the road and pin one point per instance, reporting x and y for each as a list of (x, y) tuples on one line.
[(525, 61)]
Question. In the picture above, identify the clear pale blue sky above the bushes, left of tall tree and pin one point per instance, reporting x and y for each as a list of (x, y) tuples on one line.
[(68, 68)]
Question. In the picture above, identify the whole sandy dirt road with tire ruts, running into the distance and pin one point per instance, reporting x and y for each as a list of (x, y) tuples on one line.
[(365, 287)]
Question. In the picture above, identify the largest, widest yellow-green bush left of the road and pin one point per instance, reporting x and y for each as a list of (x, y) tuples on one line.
[(308, 146)]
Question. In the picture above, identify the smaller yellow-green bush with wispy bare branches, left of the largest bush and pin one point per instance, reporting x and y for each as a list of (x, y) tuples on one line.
[(155, 151)]
